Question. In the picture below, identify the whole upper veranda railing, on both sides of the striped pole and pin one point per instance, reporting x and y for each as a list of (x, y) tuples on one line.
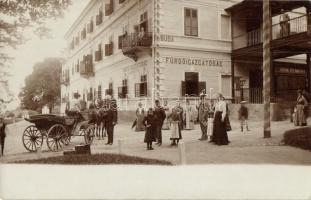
[(281, 30)]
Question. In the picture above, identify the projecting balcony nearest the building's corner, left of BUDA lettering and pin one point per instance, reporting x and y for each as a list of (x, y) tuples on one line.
[(136, 42)]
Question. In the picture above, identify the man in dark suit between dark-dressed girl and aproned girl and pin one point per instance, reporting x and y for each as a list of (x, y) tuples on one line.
[(160, 116)]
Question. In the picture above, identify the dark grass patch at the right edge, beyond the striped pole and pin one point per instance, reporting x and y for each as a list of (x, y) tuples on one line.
[(300, 138)]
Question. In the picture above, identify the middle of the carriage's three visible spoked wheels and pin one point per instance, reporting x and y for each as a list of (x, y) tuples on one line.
[(57, 137)]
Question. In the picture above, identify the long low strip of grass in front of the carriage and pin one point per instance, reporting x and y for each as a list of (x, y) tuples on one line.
[(96, 159)]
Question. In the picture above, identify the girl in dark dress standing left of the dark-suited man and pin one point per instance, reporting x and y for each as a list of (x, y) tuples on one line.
[(149, 122)]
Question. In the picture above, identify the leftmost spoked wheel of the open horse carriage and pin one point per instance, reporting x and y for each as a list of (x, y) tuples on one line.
[(32, 138)]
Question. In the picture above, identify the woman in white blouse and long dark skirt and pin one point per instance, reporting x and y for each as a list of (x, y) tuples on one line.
[(220, 136)]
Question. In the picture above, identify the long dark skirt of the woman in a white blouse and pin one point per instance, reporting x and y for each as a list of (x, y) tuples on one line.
[(220, 136)]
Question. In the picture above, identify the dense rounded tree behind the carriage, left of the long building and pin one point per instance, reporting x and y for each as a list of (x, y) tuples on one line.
[(42, 87)]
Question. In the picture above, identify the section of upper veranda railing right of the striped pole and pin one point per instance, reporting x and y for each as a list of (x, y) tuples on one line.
[(290, 27)]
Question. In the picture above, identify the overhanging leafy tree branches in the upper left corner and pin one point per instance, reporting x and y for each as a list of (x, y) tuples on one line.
[(18, 15)]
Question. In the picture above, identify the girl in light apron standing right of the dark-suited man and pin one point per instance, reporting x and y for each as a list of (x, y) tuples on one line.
[(175, 118)]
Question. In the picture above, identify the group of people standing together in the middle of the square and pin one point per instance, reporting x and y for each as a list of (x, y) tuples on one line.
[(213, 120)]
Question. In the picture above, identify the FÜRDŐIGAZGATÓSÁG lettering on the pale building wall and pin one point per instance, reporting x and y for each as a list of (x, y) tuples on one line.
[(193, 61)]
